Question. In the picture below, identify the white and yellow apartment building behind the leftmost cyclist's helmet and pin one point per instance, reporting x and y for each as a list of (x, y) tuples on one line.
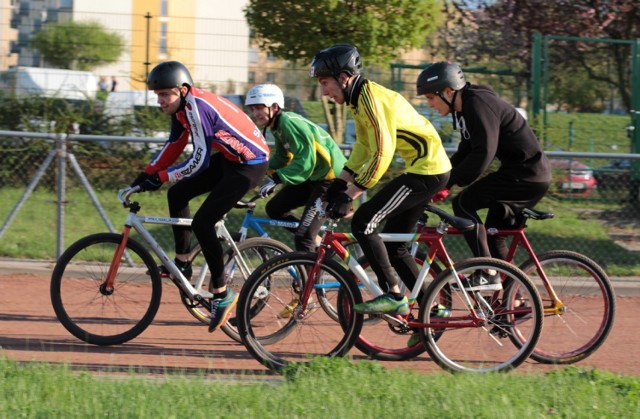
[(211, 37)]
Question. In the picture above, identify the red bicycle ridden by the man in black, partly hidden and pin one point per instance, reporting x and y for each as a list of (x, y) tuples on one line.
[(577, 296)]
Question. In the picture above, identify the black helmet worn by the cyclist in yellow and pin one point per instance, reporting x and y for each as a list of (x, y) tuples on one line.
[(340, 58)]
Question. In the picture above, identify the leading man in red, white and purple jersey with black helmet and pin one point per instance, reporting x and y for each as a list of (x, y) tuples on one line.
[(230, 156)]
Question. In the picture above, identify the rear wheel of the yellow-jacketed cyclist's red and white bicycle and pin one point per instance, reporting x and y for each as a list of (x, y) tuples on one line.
[(467, 347)]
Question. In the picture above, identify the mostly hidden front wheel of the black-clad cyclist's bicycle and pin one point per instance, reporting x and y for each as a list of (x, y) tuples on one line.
[(384, 341)]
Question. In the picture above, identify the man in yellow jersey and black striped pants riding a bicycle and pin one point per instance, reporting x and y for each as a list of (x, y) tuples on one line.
[(385, 123)]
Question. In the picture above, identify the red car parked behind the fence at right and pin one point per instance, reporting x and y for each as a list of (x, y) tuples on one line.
[(572, 177)]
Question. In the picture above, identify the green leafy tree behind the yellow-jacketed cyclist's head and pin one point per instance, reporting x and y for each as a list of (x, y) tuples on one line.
[(296, 30)]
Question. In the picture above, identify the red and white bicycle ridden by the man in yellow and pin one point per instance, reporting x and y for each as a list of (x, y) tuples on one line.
[(455, 326)]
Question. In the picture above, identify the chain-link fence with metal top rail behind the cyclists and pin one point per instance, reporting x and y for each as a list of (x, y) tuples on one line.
[(100, 165)]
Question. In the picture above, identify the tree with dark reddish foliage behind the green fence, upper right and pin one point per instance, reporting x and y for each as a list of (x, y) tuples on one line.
[(504, 29)]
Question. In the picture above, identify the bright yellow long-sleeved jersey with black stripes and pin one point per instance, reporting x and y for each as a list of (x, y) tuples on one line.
[(385, 123)]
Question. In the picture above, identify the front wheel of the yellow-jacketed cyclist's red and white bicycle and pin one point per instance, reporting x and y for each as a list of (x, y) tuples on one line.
[(276, 336)]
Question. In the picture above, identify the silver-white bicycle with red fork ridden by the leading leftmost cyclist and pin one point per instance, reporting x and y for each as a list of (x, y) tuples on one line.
[(106, 287)]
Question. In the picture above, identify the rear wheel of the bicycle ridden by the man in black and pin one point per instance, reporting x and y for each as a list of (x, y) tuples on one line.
[(589, 307)]
